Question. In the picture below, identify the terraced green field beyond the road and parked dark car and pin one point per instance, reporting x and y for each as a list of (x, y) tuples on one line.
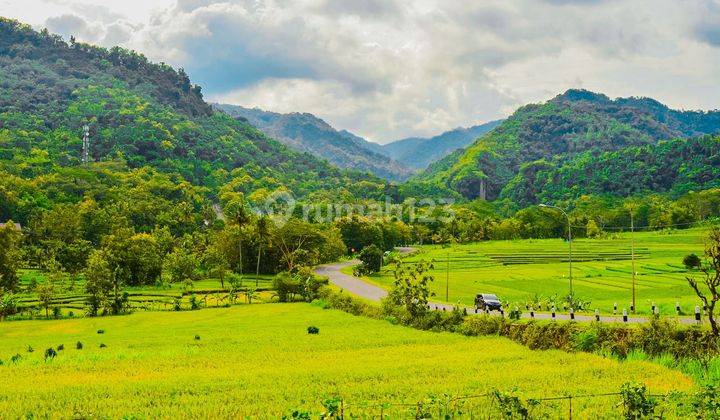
[(522, 270)]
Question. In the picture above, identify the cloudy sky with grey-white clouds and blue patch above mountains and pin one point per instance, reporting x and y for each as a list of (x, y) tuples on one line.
[(387, 69)]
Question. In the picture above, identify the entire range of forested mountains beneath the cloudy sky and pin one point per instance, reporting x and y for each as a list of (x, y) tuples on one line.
[(150, 125)]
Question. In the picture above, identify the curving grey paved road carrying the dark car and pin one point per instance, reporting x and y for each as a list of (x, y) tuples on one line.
[(372, 292)]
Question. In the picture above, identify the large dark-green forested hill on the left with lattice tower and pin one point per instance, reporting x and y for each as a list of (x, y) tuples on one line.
[(144, 118)]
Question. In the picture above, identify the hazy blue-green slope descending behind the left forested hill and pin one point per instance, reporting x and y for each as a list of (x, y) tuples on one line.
[(308, 133)]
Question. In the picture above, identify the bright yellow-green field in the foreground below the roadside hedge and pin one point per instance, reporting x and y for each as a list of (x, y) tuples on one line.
[(258, 360)]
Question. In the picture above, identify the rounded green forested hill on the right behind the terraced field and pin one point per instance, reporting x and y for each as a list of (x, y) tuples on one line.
[(570, 131)]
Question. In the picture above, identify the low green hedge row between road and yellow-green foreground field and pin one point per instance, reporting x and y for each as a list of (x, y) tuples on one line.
[(661, 336)]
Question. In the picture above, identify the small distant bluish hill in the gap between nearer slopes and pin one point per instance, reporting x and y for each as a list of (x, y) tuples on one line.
[(419, 152)]
